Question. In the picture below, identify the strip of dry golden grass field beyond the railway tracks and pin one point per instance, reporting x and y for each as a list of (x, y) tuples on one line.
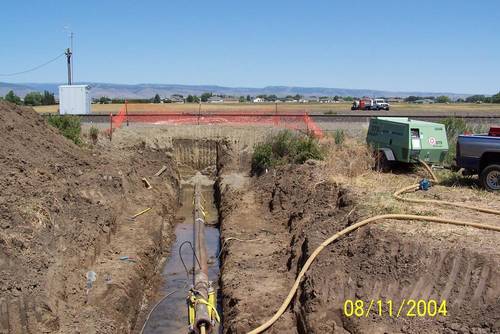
[(283, 107)]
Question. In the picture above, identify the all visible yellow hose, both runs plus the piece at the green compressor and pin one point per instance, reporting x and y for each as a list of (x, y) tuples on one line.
[(362, 223)]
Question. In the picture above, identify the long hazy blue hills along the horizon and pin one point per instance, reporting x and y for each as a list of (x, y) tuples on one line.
[(165, 90)]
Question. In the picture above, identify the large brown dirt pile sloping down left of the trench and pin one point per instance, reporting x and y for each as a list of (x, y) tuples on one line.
[(61, 214)]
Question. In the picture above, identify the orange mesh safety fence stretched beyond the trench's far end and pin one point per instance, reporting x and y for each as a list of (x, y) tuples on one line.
[(302, 122)]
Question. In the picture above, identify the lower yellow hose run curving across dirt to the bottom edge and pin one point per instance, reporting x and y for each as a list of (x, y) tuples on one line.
[(347, 230)]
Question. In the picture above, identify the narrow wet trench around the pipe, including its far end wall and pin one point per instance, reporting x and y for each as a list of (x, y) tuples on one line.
[(196, 161)]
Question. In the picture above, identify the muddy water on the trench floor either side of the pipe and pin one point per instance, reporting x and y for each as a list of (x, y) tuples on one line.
[(171, 315)]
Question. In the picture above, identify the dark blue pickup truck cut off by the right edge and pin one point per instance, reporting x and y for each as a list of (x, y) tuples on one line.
[(480, 154)]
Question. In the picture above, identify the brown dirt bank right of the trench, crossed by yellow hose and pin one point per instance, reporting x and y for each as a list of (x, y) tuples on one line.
[(295, 208)]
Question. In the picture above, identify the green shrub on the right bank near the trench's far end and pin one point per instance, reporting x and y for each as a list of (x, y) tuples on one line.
[(285, 147)]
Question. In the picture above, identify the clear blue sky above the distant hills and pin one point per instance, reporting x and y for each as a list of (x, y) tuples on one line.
[(439, 45)]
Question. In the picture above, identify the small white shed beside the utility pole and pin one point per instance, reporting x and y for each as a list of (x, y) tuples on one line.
[(74, 99)]
